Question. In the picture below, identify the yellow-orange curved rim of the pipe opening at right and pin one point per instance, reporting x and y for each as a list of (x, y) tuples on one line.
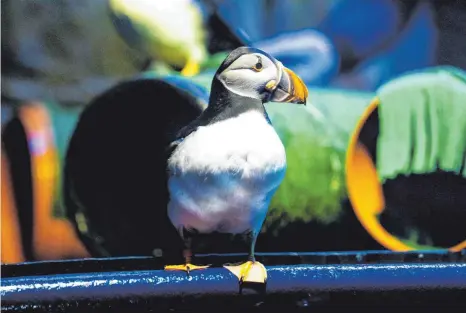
[(365, 191)]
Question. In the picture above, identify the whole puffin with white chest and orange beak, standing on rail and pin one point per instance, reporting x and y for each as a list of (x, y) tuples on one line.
[(225, 166)]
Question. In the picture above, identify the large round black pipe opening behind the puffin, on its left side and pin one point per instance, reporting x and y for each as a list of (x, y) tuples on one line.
[(114, 184)]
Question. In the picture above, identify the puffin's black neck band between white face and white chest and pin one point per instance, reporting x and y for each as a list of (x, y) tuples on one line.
[(224, 104)]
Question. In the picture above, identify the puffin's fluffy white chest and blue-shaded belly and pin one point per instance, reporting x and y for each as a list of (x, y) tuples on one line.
[(224, 175)]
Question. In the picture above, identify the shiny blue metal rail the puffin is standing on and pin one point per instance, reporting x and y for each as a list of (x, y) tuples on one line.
[(28, 286)]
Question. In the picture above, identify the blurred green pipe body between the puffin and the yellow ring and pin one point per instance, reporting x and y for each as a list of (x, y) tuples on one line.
[(315, 139)]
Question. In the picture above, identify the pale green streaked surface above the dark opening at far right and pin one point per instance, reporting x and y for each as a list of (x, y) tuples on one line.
[(422, 123)]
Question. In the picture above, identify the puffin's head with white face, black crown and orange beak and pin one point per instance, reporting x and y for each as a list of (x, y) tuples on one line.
[(253, 73)]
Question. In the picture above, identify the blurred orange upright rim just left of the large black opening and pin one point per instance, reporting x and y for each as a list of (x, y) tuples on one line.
[(53, 238)]
